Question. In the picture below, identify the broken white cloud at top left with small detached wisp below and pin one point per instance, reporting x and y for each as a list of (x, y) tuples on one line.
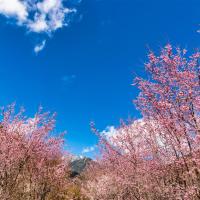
[(37, 16)]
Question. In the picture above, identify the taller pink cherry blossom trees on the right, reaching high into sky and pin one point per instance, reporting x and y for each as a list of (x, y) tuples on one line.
[(157, 157)]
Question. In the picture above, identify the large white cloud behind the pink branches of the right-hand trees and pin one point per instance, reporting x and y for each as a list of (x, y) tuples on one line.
[(134, 134)]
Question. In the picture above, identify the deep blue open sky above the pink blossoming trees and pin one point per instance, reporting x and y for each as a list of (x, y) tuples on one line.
[(85, 71)]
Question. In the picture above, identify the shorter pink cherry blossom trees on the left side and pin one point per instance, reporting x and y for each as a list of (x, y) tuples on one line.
[(32, 162)]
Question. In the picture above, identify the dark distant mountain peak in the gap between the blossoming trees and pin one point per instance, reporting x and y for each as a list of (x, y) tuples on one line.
[(78, 165)]
